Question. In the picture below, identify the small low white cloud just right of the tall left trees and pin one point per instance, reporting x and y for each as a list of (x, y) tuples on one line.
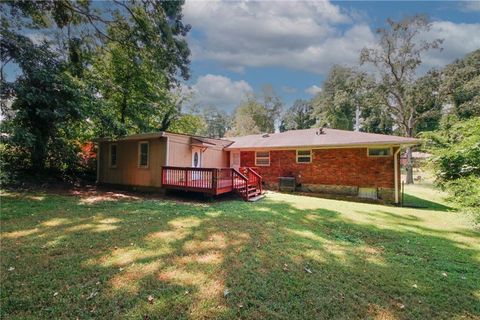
[(219, 91)]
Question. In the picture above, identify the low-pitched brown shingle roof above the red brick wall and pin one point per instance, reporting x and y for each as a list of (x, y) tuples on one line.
[(311, 138)]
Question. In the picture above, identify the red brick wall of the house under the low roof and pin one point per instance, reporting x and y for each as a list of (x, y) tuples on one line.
[(348, 167)]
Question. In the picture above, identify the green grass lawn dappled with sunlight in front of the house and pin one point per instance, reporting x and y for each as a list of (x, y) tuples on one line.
[(109, 256)]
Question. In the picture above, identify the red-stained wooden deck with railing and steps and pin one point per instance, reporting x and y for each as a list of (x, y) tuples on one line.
[(214, 181)]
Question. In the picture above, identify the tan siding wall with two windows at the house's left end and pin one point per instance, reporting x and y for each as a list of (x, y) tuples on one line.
[(127, 170)]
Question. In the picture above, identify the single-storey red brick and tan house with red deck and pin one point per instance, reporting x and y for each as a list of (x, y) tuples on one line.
[(329, 161)]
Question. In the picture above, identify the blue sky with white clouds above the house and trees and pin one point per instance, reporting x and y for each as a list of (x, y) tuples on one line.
[(240, 46)]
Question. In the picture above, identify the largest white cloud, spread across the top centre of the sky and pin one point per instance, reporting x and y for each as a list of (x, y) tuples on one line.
[(297, 35)]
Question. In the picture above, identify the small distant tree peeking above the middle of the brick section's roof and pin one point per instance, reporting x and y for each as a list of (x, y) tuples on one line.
[(299, 116)]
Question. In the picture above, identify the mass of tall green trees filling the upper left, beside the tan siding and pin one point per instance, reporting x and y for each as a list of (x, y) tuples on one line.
[(107, 71)]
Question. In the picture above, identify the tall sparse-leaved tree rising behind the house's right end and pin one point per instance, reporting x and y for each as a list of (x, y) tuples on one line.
[(396, 59)]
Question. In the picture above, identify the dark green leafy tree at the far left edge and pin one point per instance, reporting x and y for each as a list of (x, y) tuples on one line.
[(45, 98)]
